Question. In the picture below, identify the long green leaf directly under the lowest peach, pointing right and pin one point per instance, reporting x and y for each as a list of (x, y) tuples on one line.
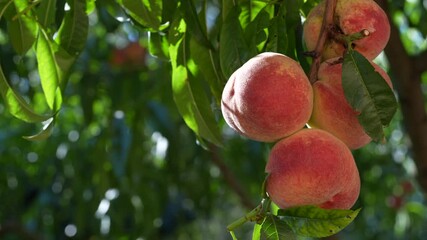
[(316, 222)]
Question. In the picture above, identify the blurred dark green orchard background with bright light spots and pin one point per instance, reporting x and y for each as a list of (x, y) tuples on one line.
[(122, 164)]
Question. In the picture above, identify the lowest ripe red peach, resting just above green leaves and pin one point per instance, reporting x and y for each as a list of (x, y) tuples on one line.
[(312, 167)]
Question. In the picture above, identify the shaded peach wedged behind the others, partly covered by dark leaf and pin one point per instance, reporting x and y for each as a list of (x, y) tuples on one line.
[(331, 111)]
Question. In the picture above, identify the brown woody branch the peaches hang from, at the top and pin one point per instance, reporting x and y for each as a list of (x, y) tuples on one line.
[(327, 23)]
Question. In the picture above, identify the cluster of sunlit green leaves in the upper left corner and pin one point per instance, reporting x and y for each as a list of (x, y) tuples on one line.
[(56, 38)]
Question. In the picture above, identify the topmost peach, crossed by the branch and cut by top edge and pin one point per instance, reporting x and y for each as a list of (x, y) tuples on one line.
[(351, 16)]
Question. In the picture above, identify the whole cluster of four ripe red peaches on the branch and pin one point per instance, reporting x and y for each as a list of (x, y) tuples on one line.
[(270, 99)]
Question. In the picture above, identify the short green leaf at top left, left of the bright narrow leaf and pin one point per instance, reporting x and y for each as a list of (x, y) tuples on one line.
[(22, 28)]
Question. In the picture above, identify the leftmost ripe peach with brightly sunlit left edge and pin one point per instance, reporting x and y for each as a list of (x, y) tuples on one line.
[(267, 98)]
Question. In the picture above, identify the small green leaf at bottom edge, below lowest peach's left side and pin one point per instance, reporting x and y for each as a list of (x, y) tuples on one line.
[(273, 228)]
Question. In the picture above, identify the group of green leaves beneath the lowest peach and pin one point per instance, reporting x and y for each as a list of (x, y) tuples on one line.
[(291, 223)]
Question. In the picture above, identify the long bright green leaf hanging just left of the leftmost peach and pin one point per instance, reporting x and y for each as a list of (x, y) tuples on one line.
[(188, 93)]
